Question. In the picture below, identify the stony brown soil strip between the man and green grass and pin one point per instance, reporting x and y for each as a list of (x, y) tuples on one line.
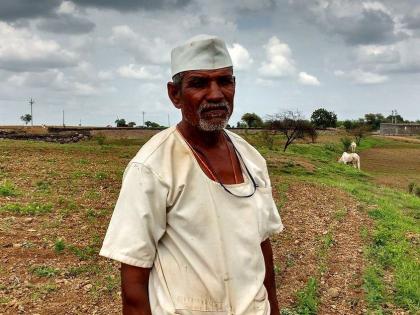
[(322, 239)]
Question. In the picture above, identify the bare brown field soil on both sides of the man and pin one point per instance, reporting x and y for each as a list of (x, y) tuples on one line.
[(321, 237)]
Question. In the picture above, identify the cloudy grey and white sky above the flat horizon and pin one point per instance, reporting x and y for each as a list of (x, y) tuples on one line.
[(102, 59)]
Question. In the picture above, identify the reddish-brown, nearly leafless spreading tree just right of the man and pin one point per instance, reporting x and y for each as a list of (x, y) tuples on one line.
[(292, 125)]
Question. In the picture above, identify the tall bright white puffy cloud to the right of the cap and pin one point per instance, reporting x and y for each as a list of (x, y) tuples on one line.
[(279, 60)]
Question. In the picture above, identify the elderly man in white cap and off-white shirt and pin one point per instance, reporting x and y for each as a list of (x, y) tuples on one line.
[(192, 223)]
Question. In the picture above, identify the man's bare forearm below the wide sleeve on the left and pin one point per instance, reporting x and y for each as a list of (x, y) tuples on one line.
[(134, 290)]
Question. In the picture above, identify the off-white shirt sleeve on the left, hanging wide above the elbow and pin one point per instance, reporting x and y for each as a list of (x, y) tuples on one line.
[(138, 220)]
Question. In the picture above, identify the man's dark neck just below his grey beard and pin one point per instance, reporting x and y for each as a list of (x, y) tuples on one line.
[(200, 138)]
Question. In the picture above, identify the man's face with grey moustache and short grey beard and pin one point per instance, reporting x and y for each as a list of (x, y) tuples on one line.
[(206, 98)]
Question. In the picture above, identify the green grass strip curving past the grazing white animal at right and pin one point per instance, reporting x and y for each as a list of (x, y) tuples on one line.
[(395, 214)]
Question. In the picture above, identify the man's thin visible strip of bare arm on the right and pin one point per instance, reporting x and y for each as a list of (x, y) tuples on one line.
[(270, 280)]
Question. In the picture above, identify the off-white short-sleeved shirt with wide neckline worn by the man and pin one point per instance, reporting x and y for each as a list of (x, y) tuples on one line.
[(203, 244)]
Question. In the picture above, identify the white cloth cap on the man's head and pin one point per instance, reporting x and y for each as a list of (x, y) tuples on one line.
[(202, 52)]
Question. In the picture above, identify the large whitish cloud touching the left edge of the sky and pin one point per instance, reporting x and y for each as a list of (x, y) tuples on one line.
[(22, 51)]
